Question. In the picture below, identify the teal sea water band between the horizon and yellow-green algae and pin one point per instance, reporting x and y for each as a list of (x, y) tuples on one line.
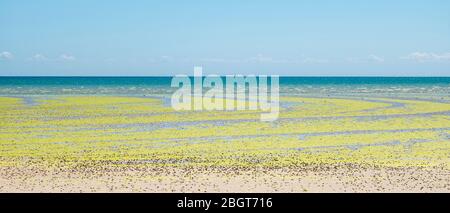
[(308, 86)]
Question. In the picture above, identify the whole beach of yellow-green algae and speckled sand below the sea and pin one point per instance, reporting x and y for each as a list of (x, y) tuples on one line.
[(359, 138)]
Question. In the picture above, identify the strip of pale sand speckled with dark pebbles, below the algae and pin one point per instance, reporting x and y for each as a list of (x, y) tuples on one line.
[(310, 178)]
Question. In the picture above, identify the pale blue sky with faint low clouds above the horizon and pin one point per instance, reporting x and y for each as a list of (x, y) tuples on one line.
[(316, 37)]
